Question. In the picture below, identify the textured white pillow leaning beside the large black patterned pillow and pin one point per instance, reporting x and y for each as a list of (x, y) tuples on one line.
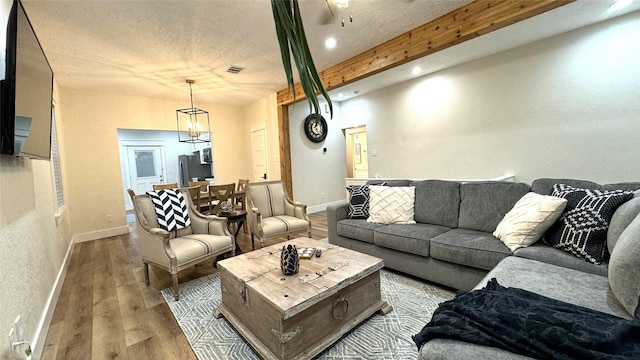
[(530, 217)]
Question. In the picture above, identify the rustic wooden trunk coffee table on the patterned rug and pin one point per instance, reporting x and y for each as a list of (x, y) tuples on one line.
[(298, 316)]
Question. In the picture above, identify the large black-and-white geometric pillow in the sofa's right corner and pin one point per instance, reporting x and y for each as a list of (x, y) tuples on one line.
[(582, 227)]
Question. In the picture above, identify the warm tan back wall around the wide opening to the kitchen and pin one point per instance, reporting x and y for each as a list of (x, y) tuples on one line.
[(92, 159)]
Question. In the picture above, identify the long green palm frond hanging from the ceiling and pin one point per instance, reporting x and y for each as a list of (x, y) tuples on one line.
[(293, 44)]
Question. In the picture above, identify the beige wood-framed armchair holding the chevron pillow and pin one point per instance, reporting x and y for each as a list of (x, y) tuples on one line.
[(206, 238)]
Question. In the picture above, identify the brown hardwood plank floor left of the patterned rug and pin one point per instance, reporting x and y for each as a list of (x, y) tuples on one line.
[(105, 311)]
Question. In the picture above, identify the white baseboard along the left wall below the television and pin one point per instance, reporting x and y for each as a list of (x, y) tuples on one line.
[(37, 343)]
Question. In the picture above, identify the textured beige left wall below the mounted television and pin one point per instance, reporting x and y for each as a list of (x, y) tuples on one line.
[(33, 246)]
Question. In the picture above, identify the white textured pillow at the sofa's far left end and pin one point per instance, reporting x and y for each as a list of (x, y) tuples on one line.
[(391, 204)]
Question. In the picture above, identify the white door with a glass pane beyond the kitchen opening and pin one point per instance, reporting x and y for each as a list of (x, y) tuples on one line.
[(146, 167)]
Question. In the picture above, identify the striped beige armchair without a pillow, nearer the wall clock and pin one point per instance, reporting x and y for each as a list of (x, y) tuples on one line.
[(271, 213)]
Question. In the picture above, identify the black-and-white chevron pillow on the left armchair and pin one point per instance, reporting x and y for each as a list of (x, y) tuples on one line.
[(171, 209)]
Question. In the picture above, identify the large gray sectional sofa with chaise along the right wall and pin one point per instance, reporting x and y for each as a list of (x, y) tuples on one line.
[(452, 244)]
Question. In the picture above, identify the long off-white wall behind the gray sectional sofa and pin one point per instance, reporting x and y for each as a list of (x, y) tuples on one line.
[(567, 106)]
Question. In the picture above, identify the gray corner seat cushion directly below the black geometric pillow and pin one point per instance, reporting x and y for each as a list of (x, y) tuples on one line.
[(550, 255)]
